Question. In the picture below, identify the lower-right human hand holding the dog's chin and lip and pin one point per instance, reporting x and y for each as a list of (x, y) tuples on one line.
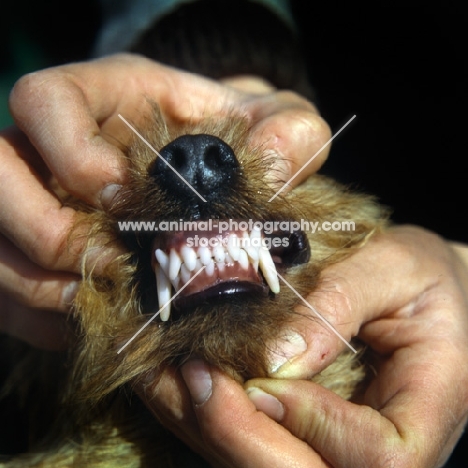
[(405, 295)]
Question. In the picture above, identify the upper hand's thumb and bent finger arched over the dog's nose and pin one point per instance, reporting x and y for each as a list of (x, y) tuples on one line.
[(70, 118)]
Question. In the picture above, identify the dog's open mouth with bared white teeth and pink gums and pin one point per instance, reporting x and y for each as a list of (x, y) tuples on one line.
[(193, 267)]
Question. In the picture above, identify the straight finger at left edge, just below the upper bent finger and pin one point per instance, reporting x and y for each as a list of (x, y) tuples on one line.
[(31, 216)]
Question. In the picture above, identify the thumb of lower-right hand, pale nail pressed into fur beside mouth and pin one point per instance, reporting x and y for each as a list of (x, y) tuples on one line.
[(351, 294)]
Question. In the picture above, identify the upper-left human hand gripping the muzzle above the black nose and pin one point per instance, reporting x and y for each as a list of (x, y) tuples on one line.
[(68, 131)]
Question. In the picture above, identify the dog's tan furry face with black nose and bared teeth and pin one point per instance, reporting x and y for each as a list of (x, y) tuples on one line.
[(222, 274)]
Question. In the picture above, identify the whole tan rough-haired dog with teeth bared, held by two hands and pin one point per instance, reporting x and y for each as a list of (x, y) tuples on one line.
[(186, 286)]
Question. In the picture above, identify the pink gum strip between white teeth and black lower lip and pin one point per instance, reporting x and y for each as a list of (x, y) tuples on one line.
[(221, 274)]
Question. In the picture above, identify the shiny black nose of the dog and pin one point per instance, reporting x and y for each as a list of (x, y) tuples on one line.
[(203, 161)]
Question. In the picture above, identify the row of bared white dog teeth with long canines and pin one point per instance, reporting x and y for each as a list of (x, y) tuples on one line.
[(177, 268)]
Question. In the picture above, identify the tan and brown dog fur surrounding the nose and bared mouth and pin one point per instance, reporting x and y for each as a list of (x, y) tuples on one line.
[(98, 422)]
